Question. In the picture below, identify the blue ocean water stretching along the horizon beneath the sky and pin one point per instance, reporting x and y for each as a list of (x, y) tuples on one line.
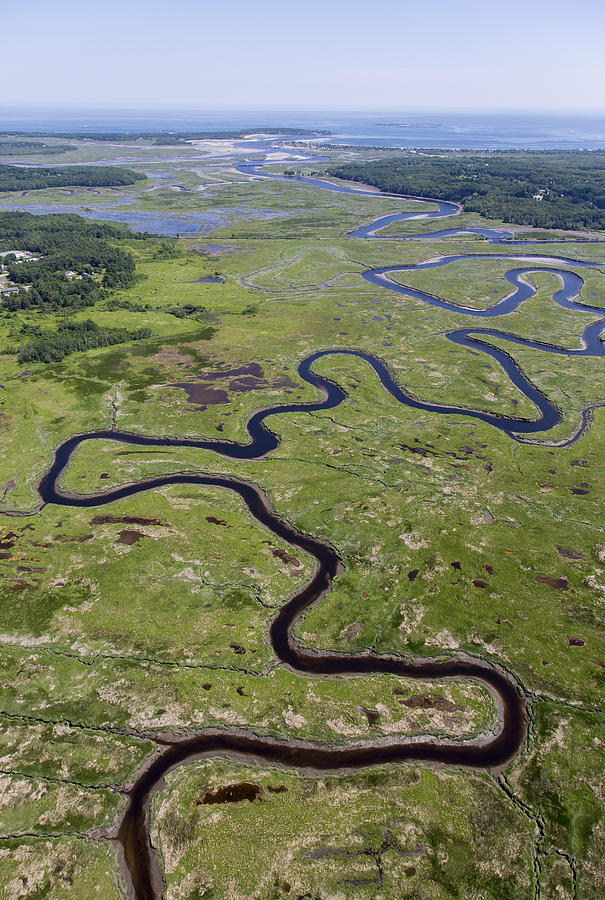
[(413, 129)]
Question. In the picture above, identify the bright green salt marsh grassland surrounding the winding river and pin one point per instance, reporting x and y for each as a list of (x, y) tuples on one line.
[(147, 619)]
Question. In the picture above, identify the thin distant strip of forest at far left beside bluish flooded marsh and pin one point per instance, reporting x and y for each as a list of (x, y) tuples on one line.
[(19, 178)]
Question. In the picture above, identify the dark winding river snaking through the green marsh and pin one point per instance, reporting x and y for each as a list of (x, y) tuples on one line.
[(491, 751)]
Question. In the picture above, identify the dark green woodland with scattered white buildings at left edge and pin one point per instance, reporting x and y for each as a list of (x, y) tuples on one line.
[(65, 243)]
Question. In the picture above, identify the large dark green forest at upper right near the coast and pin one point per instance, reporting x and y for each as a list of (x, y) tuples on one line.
[(563, 189)]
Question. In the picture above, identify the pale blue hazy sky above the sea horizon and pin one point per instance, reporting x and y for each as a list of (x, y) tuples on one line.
[(317, 54)]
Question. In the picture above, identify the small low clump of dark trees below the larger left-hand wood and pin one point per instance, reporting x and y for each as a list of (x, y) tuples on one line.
[(53, 345)]
